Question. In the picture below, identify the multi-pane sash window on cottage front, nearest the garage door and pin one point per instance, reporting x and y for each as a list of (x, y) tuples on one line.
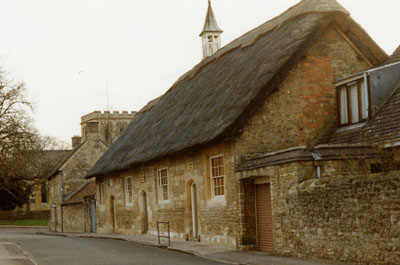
[(217, 176)]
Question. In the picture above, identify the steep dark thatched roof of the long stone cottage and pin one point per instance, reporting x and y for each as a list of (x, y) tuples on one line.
[(213, 100)]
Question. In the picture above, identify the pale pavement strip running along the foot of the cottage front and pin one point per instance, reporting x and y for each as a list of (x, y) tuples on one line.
[(211, 252)]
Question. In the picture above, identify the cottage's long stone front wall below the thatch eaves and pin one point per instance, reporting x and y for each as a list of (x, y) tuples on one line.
[(218, 218)]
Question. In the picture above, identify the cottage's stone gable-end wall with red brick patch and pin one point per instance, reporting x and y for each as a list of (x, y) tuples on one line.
[(305, 103)]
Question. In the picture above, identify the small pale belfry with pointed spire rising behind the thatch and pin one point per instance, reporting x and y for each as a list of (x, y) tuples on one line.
[(211, 34)]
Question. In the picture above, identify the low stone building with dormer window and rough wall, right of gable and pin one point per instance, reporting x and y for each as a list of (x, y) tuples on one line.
[(337, 198)]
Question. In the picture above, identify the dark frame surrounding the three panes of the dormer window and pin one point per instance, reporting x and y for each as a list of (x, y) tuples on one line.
[(360, 111)]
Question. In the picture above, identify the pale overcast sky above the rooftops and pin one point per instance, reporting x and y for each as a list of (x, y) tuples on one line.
[(68, 51)]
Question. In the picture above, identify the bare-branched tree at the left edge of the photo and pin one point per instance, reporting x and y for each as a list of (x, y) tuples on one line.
[(23, 158)]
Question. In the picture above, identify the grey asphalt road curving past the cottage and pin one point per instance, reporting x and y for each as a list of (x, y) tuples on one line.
[(56, 250)]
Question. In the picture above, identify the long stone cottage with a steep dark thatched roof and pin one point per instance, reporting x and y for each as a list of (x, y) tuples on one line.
[(182, 158)]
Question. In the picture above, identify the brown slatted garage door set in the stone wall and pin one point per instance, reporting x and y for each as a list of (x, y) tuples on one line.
[(264, 218)]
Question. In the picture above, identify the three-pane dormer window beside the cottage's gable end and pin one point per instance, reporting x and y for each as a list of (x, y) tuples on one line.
[(353, 102)]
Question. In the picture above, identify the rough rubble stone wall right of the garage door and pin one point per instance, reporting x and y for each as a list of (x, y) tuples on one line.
[(353, 219)]
